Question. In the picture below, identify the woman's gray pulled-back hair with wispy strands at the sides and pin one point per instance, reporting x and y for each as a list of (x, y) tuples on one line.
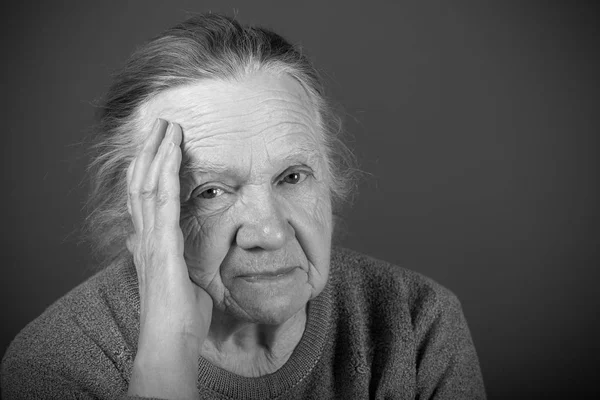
[(208, 46)]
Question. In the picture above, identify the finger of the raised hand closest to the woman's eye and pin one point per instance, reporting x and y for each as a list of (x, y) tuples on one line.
[(168, 210)]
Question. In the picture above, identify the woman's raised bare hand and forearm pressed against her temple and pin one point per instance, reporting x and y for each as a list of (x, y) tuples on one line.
[(175, 313)]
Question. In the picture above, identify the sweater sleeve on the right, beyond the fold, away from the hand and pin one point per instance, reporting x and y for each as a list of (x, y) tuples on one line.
[(447, 363)]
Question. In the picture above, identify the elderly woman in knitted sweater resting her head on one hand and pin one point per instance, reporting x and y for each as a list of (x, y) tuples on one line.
[(218, 175)]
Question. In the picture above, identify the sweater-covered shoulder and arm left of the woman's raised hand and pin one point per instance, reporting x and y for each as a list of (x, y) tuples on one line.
[(72, 341)]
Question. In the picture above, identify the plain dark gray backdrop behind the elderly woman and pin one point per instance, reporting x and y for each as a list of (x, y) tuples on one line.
[(476, 123)]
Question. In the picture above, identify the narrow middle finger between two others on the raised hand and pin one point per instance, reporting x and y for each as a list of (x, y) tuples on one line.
[(151, 202)]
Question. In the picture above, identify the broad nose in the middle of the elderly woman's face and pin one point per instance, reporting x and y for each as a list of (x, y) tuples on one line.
[(264, 223)]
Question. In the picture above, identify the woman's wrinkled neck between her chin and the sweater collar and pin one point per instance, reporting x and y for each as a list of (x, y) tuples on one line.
[(251, 349)]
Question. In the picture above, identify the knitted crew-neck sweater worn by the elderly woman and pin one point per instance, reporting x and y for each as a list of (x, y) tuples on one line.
[(376, 331)]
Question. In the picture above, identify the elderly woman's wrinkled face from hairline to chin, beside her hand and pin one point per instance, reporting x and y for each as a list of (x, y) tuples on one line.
[(255, 205)]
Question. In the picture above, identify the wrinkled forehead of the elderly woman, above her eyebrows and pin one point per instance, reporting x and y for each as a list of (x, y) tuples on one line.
[(264, 107)]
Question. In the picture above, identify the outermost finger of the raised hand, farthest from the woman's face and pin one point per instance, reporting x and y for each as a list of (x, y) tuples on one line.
[(140, 170)]
